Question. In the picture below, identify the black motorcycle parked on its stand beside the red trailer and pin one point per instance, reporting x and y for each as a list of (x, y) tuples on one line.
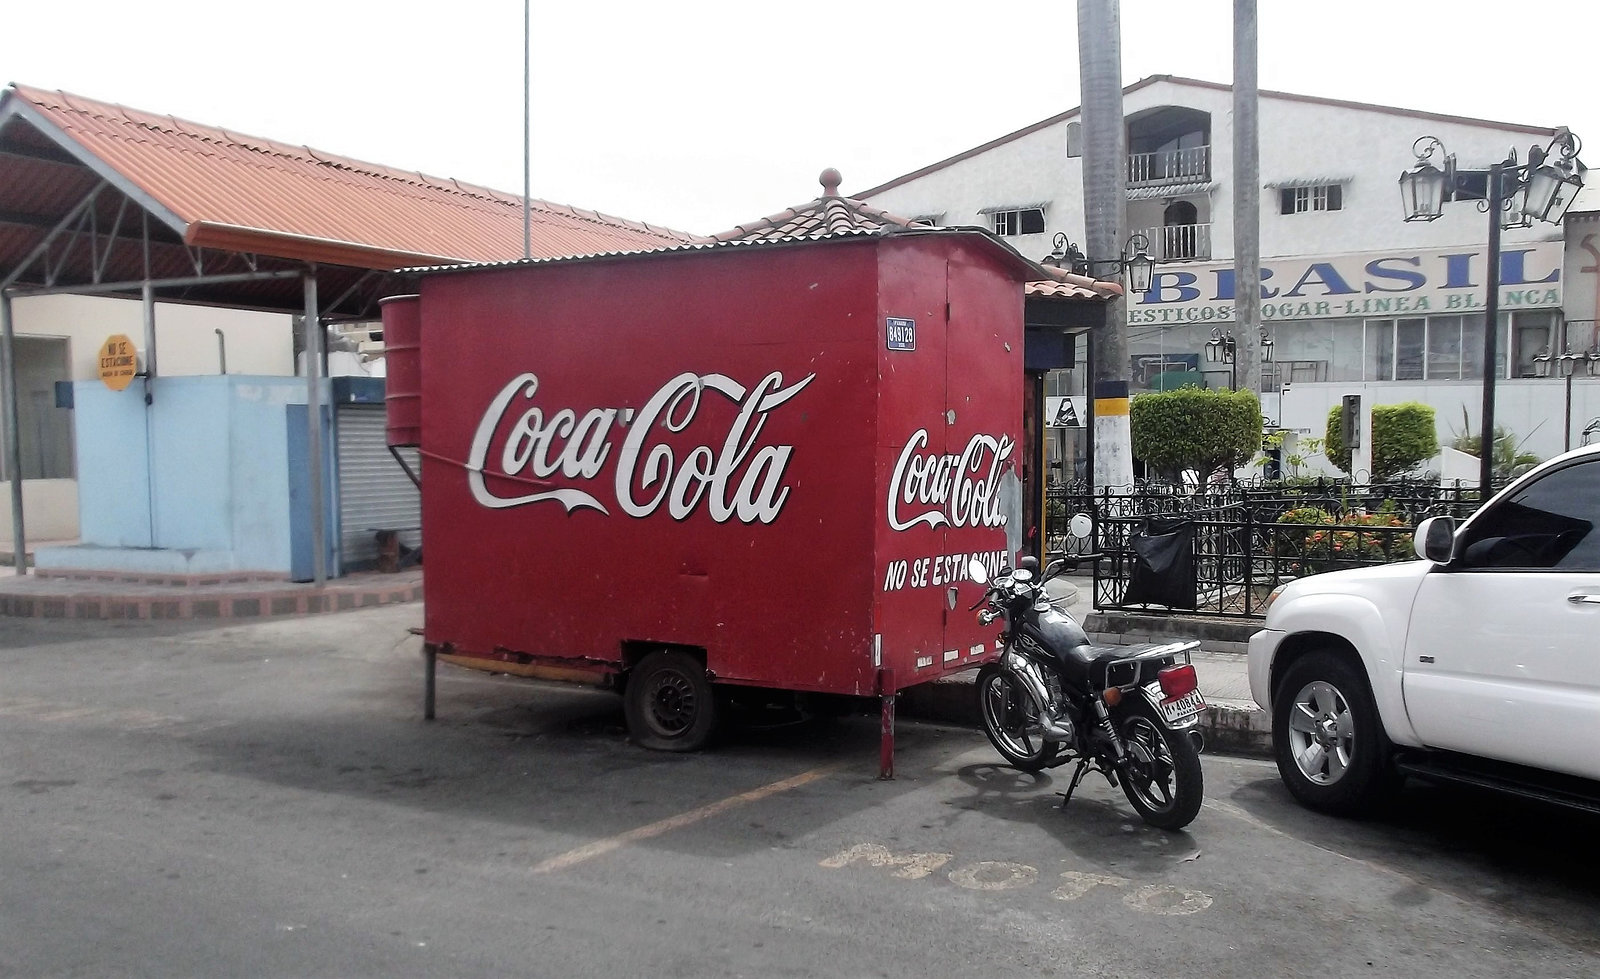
[(1127, 713)]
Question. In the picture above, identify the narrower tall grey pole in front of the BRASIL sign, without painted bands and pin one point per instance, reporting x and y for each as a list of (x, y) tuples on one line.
[(1247, 201)]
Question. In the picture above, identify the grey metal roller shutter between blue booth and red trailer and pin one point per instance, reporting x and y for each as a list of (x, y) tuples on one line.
[(375, 493)]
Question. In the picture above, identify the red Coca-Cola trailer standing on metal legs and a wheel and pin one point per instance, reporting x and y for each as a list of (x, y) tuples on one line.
[(721, 468)]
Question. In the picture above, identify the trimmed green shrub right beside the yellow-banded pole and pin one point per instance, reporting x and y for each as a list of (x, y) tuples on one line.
[(1198, 430)]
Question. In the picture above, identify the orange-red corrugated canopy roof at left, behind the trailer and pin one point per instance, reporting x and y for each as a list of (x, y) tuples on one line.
[(238, 193)]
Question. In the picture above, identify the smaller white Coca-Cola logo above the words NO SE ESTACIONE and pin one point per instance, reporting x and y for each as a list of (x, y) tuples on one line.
[(945, 490)]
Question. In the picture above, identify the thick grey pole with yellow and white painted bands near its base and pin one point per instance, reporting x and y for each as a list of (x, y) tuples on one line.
[(1105, 215)]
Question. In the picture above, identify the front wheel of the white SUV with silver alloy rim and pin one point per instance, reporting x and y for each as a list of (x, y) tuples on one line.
[(1329, 740)]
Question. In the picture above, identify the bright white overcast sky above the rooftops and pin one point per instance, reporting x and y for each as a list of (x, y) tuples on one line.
[(703, 114)]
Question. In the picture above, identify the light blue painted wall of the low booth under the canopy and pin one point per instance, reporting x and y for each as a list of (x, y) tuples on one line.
[(204, 470)]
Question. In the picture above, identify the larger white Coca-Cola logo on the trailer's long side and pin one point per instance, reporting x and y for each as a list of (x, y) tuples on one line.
[(730, 473)]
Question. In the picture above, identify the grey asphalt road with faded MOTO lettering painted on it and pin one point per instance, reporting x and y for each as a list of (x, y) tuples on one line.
[(266, 801)]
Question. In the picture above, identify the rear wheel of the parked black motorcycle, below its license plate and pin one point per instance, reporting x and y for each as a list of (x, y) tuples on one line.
[(1162, 778)]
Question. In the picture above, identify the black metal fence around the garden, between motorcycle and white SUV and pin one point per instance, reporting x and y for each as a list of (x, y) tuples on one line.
[(1225, 549)]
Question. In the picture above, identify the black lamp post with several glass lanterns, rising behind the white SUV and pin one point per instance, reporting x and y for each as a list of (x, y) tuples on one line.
[(1514, 196)]
